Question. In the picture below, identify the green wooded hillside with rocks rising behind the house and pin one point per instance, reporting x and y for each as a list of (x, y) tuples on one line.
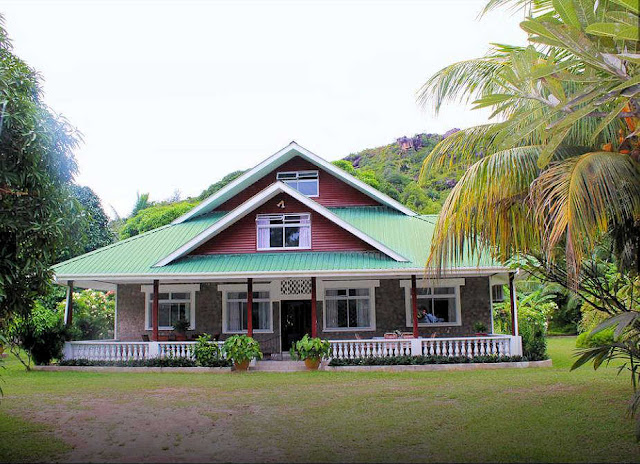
[(393, 169)]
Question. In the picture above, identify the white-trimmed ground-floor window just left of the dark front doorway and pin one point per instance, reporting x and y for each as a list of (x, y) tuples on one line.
[(235, 311)]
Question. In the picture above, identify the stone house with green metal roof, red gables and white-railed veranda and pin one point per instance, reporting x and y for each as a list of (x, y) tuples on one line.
[(310, 249)]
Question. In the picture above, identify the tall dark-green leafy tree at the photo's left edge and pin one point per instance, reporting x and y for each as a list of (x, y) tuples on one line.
[(36, 165)]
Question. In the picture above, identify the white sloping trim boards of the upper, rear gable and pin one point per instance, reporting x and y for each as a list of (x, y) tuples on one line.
[(290, 151)]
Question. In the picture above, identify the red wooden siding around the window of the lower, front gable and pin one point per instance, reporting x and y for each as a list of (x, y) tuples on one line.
[(241, 236)]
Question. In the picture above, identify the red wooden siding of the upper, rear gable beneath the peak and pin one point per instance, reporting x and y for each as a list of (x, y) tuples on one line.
[(333, 191)]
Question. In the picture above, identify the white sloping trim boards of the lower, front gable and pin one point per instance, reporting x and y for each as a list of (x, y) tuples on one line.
[(259, 199)]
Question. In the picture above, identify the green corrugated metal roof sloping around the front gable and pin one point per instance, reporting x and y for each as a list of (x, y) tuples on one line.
[(410, 236)]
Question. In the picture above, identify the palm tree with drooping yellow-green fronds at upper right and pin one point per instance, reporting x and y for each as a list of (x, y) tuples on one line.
[(557, 166)]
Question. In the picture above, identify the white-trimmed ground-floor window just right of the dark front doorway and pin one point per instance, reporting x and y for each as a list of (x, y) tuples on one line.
[(348, 308)]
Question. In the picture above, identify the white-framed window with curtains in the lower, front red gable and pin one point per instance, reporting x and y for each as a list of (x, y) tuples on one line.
[(283, 231)]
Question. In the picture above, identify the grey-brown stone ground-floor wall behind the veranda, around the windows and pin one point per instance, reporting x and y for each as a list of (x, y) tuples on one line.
[(390, 312)]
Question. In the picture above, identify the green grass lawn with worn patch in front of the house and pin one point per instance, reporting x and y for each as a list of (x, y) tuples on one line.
[(546, 414)]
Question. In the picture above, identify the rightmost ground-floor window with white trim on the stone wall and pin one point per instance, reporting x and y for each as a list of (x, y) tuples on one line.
[(438, 302)]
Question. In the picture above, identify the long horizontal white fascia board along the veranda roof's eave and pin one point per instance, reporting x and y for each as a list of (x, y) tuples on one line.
[(228, 276)]
